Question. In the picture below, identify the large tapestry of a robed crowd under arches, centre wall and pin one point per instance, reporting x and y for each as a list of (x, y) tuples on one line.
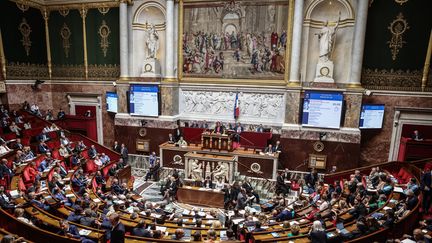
[(235, 39)]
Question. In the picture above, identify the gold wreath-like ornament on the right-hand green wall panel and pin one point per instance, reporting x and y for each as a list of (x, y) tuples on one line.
[(397, 28)]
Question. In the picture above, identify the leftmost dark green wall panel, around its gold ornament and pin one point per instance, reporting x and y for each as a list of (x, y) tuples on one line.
[(10, 18)]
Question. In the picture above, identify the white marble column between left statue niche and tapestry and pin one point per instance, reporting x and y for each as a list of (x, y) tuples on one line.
[(169, 52)]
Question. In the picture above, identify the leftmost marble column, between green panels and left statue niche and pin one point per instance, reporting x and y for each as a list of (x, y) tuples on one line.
[(124, 50)]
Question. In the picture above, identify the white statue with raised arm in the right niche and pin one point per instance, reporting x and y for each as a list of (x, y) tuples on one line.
[(326, 38)]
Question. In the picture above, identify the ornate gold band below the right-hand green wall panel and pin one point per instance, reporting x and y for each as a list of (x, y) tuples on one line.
[(392, 79)]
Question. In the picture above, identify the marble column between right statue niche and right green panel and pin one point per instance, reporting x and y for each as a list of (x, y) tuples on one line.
[(358, 43)]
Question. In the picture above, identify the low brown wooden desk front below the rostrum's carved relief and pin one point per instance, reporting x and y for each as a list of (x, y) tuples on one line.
[(208, 198)]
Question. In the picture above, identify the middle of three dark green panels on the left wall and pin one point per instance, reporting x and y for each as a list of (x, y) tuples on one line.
[(76, 51)]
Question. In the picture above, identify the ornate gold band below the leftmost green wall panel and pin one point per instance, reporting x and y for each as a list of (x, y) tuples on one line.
[(26, 71)]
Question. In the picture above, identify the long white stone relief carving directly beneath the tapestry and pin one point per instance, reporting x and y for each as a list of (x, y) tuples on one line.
[(252, 105)]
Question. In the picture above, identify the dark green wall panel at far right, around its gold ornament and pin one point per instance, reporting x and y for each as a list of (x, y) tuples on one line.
[(411, 56)]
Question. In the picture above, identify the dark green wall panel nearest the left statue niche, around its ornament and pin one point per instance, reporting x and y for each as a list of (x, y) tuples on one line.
[(94, 51)]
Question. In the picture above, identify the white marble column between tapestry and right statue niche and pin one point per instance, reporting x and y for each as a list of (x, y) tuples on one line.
[(294, 78)]
